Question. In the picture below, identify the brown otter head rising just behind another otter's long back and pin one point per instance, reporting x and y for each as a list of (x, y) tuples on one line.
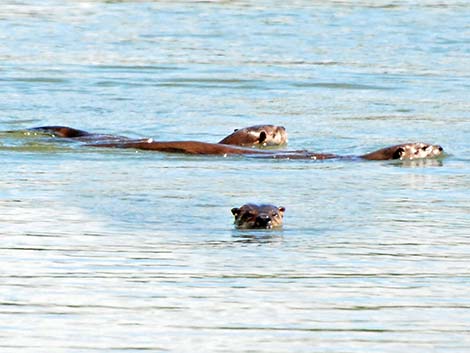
[(257, 135)]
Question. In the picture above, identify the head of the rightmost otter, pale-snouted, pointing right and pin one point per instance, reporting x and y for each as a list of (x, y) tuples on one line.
[(407, 151)]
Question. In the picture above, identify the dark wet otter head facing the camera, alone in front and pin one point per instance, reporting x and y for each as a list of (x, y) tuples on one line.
[(251, 216)]
